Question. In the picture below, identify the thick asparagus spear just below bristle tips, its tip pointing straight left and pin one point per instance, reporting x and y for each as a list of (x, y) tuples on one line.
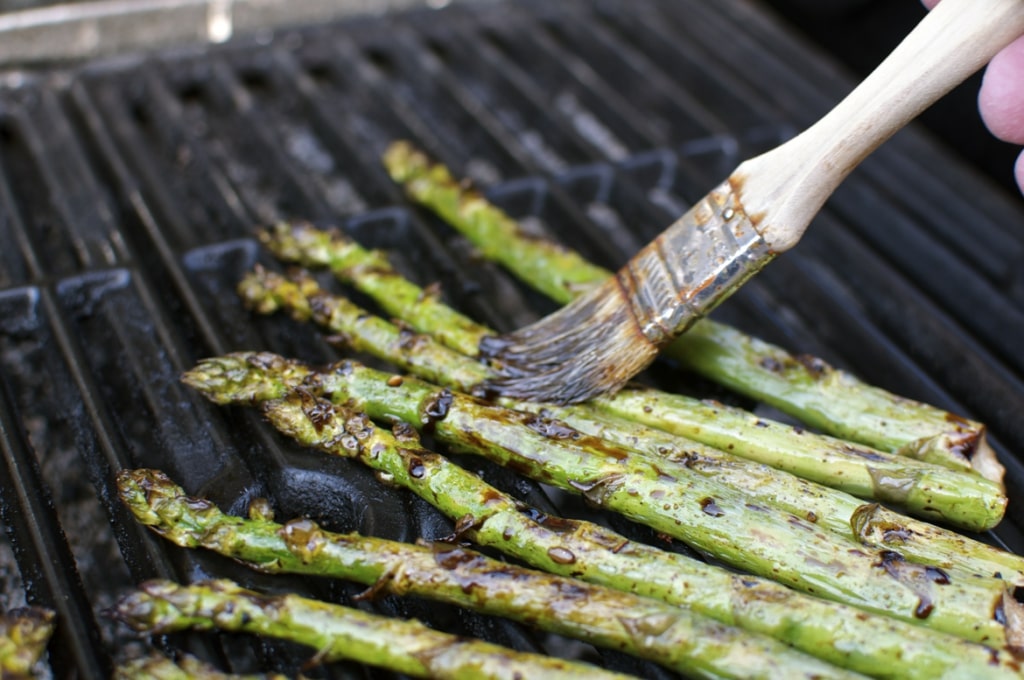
[(696, 509)]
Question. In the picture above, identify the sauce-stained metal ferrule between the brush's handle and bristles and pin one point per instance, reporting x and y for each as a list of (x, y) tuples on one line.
[(694, 266)]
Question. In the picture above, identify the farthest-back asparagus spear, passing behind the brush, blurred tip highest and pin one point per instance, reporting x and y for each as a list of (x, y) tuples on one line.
[(802, 387)]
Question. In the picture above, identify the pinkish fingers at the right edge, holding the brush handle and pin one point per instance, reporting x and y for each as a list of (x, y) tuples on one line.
[(1002, 98)]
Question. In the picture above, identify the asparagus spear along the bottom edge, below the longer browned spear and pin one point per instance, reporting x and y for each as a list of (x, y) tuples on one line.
[(336, 632)]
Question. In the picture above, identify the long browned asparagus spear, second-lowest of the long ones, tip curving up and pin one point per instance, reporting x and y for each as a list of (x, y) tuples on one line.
[(692, 645)]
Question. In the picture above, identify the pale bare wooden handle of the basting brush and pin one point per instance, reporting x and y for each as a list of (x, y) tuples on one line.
[(783, 190)]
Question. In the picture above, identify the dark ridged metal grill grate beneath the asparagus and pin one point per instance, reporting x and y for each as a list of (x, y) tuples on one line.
[(130, 193)]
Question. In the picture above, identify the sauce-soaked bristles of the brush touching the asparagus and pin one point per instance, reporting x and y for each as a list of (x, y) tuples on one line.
[(591, 347)]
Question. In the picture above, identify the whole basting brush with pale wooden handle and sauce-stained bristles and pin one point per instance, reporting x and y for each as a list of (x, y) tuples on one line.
[(601, 341)]
